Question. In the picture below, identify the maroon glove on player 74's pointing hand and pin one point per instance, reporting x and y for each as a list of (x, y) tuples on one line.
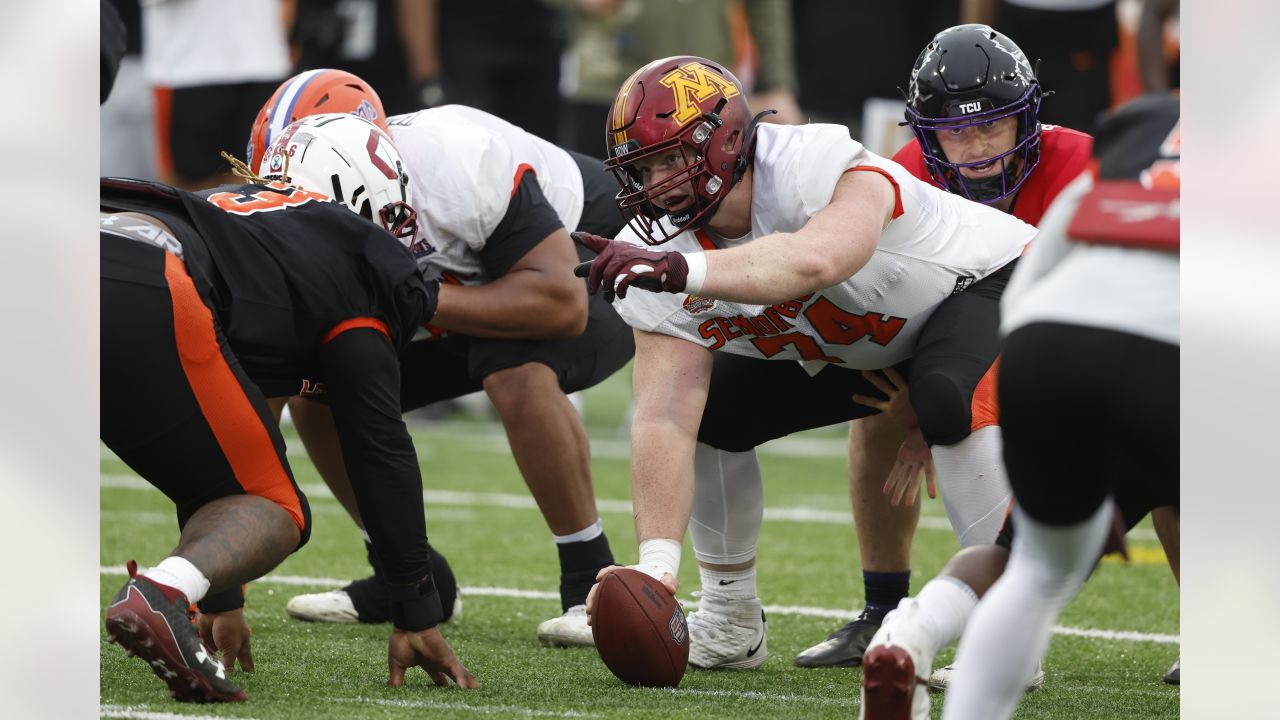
[(619, 266)]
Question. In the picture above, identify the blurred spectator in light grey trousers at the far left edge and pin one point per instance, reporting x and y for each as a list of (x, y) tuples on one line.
[(126, 127)]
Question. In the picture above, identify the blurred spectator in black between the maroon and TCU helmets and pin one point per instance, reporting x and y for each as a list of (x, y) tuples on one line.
[(856, 52)]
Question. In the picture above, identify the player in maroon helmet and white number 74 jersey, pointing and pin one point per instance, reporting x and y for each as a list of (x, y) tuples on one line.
[(792, 244)]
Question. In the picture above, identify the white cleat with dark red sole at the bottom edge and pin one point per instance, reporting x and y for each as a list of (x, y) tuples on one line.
[(898, 660)]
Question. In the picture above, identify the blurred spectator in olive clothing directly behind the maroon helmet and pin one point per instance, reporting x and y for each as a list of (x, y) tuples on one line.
[(611, 39)]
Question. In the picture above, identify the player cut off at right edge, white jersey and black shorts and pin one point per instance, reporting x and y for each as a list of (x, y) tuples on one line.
[(1096, 309)]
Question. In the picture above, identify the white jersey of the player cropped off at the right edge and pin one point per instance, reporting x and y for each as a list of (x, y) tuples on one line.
[(1098, 286)]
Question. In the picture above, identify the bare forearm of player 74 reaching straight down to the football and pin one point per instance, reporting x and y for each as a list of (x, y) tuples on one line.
[(671, 381)]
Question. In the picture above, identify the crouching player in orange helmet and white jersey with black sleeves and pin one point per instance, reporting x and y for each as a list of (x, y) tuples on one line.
[(493, 204)]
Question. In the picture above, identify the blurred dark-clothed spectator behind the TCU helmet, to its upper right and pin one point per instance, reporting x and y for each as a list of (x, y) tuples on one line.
[(1073, 43)]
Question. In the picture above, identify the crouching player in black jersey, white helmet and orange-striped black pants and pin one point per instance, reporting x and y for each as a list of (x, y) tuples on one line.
[(212, 304)]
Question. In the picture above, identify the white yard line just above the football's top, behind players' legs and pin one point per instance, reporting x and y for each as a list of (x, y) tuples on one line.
[(468, 499)]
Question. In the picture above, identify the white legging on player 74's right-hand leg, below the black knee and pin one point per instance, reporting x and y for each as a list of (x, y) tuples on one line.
[(975, 486)]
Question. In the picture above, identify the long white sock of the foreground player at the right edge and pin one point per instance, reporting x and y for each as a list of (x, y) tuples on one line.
[(1012, 627)]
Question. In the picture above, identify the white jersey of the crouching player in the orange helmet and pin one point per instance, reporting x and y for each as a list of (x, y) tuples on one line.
[(463, 167)]
